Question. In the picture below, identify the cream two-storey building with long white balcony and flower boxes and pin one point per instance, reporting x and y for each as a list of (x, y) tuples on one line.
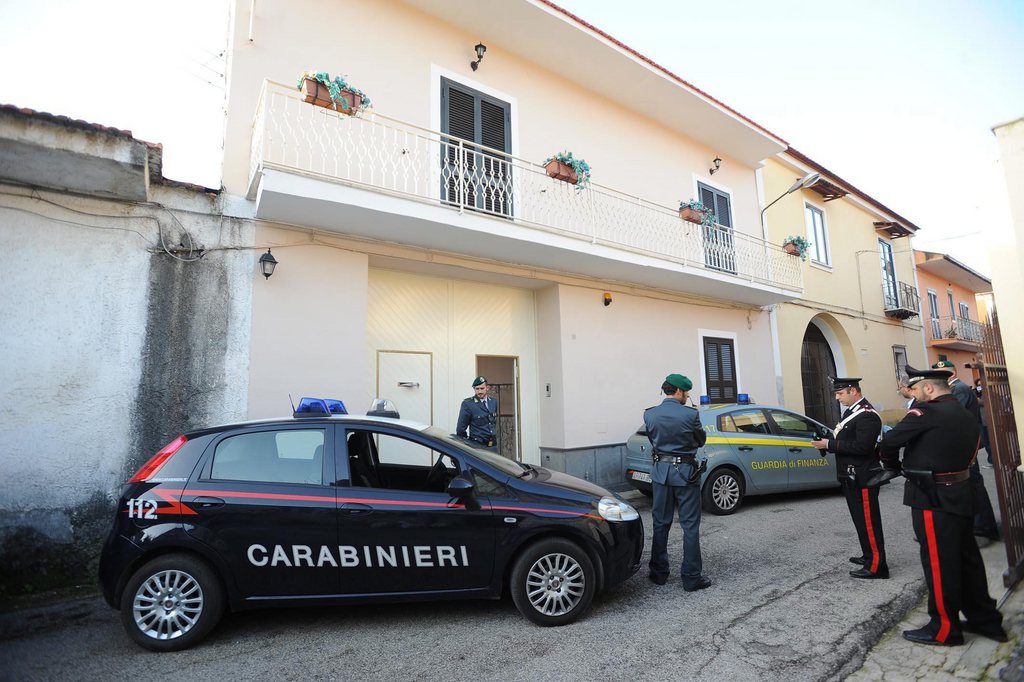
[(421, 242)]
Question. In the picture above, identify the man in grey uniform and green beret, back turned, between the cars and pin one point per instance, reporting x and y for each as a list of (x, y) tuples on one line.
[(675, 435)]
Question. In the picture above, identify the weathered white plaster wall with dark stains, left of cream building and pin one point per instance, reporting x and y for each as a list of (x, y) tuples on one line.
[(111, 349)]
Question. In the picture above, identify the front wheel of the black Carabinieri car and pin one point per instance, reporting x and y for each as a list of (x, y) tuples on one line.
[(553, 582)]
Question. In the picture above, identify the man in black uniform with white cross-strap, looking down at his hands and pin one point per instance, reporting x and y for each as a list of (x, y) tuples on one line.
[(856, 446)]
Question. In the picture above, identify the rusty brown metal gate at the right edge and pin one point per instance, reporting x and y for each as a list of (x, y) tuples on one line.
[(1005, 448)]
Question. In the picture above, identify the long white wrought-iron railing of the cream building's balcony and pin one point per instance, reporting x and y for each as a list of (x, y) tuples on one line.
[(381, 154)]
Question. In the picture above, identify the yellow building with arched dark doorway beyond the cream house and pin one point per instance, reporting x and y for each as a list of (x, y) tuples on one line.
[(861, 313)]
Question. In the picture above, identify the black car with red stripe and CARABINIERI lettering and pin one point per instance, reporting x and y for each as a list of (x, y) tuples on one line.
[(329, 508)]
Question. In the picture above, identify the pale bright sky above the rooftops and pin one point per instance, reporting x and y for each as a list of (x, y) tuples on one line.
[(898, 98)]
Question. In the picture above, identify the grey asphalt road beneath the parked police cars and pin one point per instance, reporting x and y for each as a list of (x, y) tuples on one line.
[(783, 608)]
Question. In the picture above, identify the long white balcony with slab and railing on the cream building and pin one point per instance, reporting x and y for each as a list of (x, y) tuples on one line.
[(375, 178)]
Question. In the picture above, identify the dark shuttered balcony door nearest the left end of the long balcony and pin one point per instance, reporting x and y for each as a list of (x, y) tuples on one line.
[(475, 173)]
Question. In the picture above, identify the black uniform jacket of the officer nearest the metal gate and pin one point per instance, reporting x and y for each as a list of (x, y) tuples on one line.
[(941, 437)]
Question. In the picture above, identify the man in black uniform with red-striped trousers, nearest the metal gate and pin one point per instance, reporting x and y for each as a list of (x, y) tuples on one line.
[(941, 441)]
